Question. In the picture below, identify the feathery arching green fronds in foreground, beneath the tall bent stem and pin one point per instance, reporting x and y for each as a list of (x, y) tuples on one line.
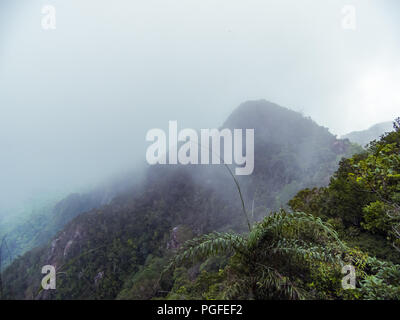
[(267, 262)]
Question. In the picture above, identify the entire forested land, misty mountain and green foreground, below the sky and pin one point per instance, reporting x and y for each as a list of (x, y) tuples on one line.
[(182, 234)]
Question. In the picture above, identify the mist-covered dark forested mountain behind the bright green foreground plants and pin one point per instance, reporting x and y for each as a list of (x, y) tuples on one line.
[(119, 249)]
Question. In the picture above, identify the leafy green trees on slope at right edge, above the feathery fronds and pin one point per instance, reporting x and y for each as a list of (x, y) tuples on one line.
[(362, 199)]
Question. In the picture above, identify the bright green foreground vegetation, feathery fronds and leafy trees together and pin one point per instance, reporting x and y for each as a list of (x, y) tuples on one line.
[(299, 254)]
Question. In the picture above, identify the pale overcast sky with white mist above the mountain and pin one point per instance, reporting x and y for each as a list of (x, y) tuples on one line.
[(77, 101)]
